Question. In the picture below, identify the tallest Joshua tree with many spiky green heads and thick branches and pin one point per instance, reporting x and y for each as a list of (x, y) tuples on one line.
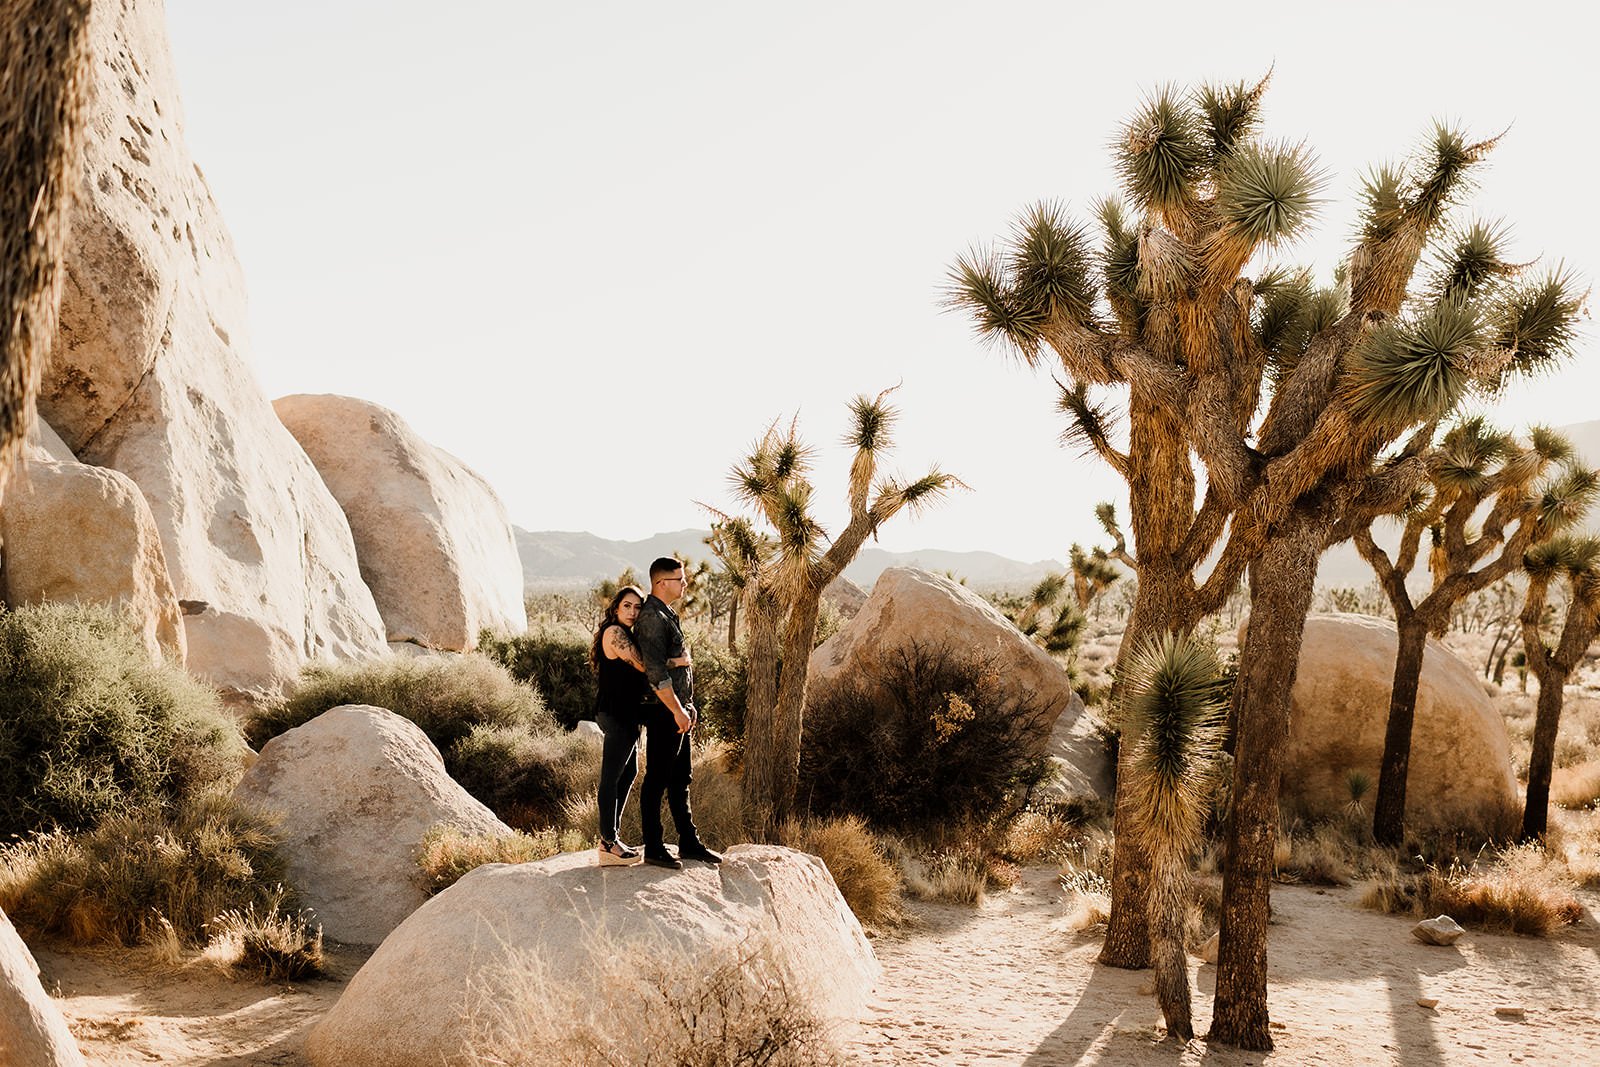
[(1361, 375)]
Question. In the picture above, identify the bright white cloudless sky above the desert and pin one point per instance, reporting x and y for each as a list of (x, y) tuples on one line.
[(594, 249)]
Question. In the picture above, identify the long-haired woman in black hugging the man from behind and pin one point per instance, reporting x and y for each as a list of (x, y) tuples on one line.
[(618, 713)]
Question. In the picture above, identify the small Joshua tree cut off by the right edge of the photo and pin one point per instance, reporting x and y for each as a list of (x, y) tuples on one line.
[(1577, 561)]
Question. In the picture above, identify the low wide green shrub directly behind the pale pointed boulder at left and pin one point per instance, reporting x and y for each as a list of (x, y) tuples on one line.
[(444, 695)]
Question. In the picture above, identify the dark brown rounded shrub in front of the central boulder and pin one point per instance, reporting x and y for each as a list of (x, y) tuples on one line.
[(927, 748)]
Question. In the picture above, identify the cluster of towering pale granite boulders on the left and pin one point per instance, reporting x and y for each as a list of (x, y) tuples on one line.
[(242, 538)]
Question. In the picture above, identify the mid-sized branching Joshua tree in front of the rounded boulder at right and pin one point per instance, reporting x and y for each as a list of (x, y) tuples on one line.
[(1473, 466)]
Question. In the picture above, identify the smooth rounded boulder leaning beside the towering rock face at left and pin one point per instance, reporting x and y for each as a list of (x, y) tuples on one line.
[(433, 538)]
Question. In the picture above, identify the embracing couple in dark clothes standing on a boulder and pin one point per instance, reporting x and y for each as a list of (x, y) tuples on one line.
[(647, 681)]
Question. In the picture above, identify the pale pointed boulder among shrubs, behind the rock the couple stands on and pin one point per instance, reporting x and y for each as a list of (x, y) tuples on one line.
[(358, 789)]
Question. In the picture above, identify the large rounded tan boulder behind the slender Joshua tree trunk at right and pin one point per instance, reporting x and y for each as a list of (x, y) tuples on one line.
[(1462, 773)]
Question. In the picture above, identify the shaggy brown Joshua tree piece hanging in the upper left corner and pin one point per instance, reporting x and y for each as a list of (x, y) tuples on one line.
[(44, 86)]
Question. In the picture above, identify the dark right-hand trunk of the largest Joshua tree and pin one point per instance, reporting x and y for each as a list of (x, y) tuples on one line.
[(1281, 593)]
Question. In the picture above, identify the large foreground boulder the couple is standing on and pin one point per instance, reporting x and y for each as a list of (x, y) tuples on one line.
[(455, 964)]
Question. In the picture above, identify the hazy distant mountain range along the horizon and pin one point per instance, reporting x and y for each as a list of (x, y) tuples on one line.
[(559, 559)]
